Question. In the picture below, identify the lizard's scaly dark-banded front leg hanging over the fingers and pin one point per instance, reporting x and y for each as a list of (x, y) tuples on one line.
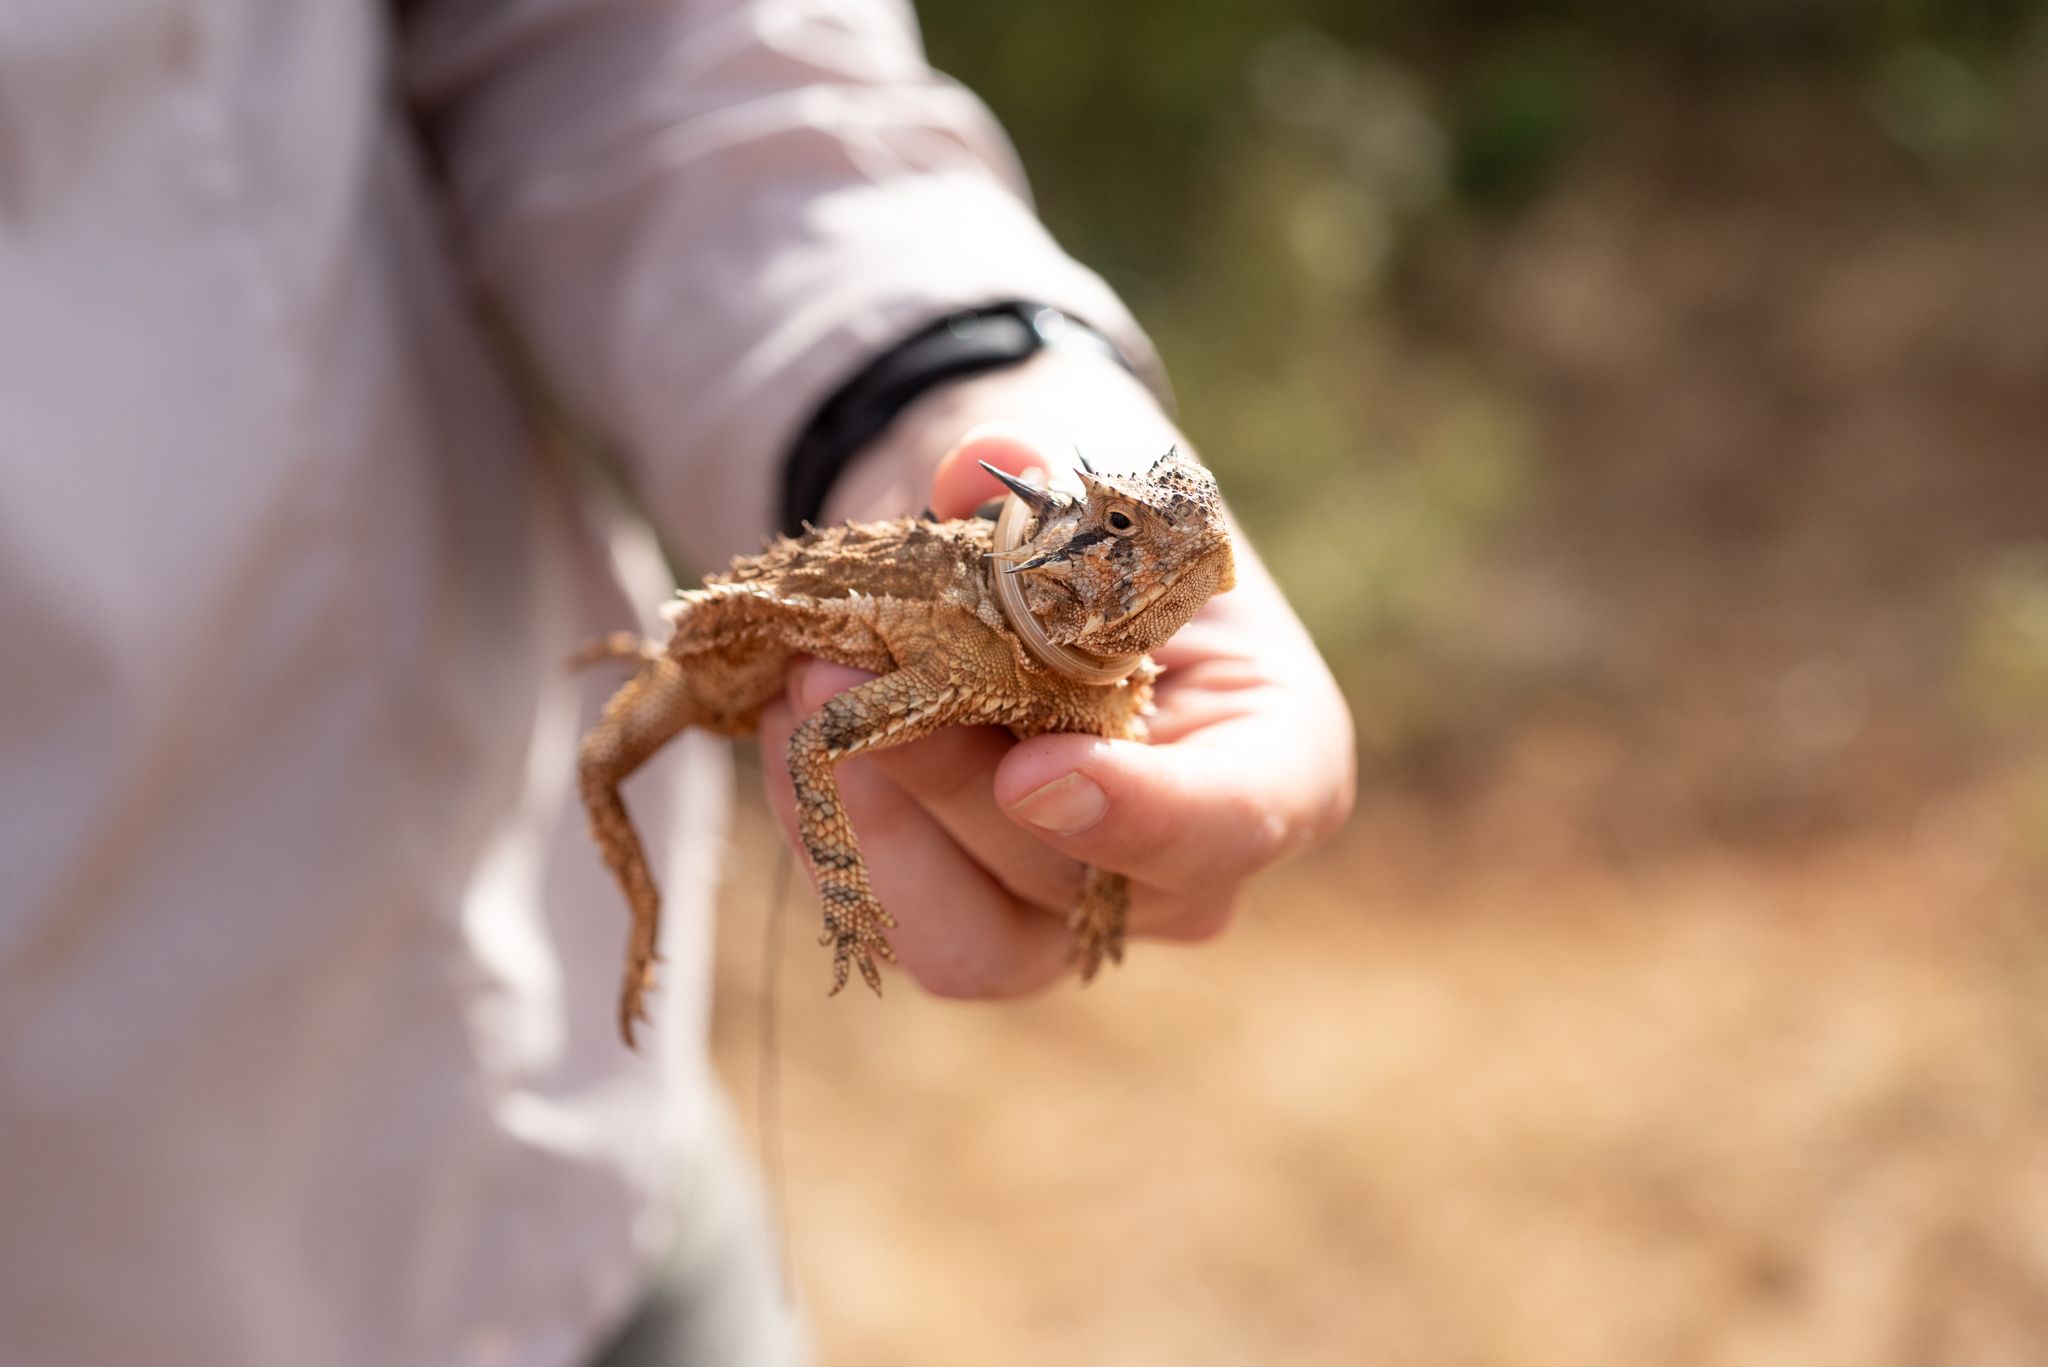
[(884, 712)]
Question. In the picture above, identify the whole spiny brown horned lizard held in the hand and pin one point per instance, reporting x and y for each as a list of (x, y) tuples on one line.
[(1107, 575)]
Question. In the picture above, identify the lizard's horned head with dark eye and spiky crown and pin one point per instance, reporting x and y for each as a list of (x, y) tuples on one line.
[(1125, 565)]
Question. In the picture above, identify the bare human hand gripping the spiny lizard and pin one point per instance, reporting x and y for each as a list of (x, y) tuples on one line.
[(976, 841)]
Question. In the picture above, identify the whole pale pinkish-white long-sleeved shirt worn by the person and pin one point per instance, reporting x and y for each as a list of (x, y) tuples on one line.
[(306, 964)]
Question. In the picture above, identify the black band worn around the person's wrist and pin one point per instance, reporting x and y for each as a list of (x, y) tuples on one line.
[(957, 345)]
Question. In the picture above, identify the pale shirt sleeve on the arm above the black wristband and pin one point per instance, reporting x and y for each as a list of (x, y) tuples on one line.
[(708, 214)]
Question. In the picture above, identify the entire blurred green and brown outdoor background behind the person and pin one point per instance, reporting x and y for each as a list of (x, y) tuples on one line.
[(1648, 407)]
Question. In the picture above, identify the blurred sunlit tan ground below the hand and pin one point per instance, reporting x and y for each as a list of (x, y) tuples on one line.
[(1723, 1112)]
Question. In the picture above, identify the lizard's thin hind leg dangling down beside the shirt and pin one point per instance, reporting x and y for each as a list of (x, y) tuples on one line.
[(644, 716)]
